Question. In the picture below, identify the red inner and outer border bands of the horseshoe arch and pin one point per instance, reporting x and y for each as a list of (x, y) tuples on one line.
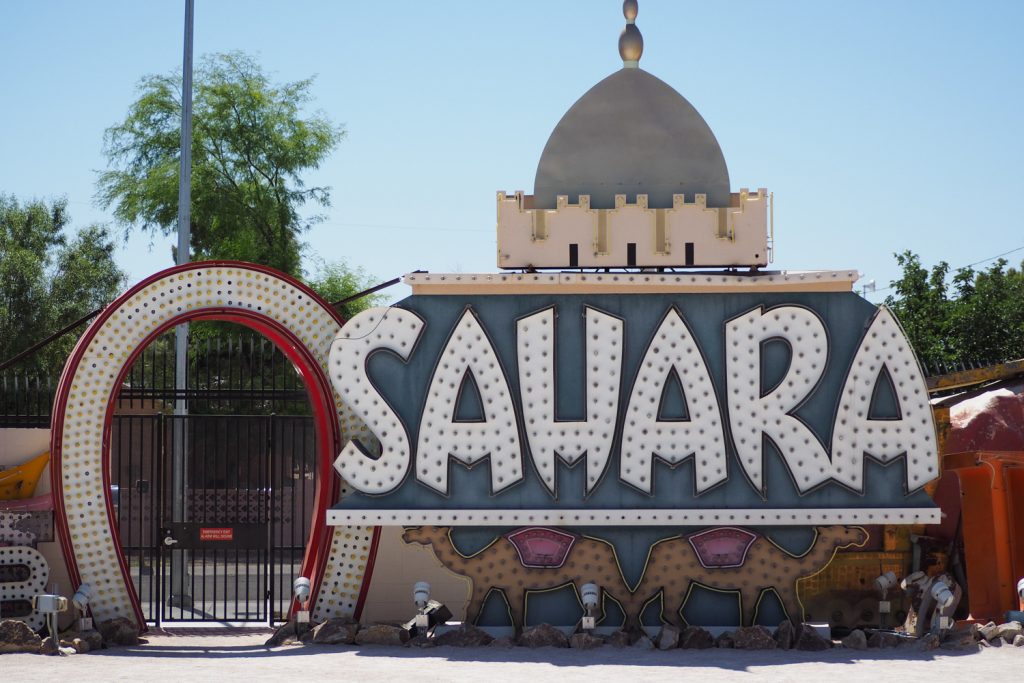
[(318, 387)]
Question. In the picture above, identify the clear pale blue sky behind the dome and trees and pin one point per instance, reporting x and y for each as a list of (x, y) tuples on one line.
[(879, 126)]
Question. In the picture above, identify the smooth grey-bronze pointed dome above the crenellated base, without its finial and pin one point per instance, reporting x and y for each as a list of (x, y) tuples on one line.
[(631, 134)]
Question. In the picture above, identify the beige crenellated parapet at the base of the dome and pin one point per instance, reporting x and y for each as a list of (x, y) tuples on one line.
[(689, 235)]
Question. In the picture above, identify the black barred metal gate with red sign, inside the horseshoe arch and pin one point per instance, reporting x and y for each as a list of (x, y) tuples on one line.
[(214, 513)]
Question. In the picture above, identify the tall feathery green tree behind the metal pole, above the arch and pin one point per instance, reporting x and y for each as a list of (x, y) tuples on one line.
[(251, 147)]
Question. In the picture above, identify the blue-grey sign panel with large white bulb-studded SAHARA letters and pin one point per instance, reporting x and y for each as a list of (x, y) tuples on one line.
[(617, 409)]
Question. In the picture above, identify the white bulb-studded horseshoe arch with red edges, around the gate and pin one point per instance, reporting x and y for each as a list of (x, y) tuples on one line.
[(286, 312)]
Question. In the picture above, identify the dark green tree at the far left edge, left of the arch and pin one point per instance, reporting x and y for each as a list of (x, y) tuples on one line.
[(49, 281)]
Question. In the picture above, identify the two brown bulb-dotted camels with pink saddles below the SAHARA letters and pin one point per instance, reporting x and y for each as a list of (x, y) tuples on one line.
[(729, 560)]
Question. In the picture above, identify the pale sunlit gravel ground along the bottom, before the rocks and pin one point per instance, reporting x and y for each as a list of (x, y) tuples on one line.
[(224, 656)]
